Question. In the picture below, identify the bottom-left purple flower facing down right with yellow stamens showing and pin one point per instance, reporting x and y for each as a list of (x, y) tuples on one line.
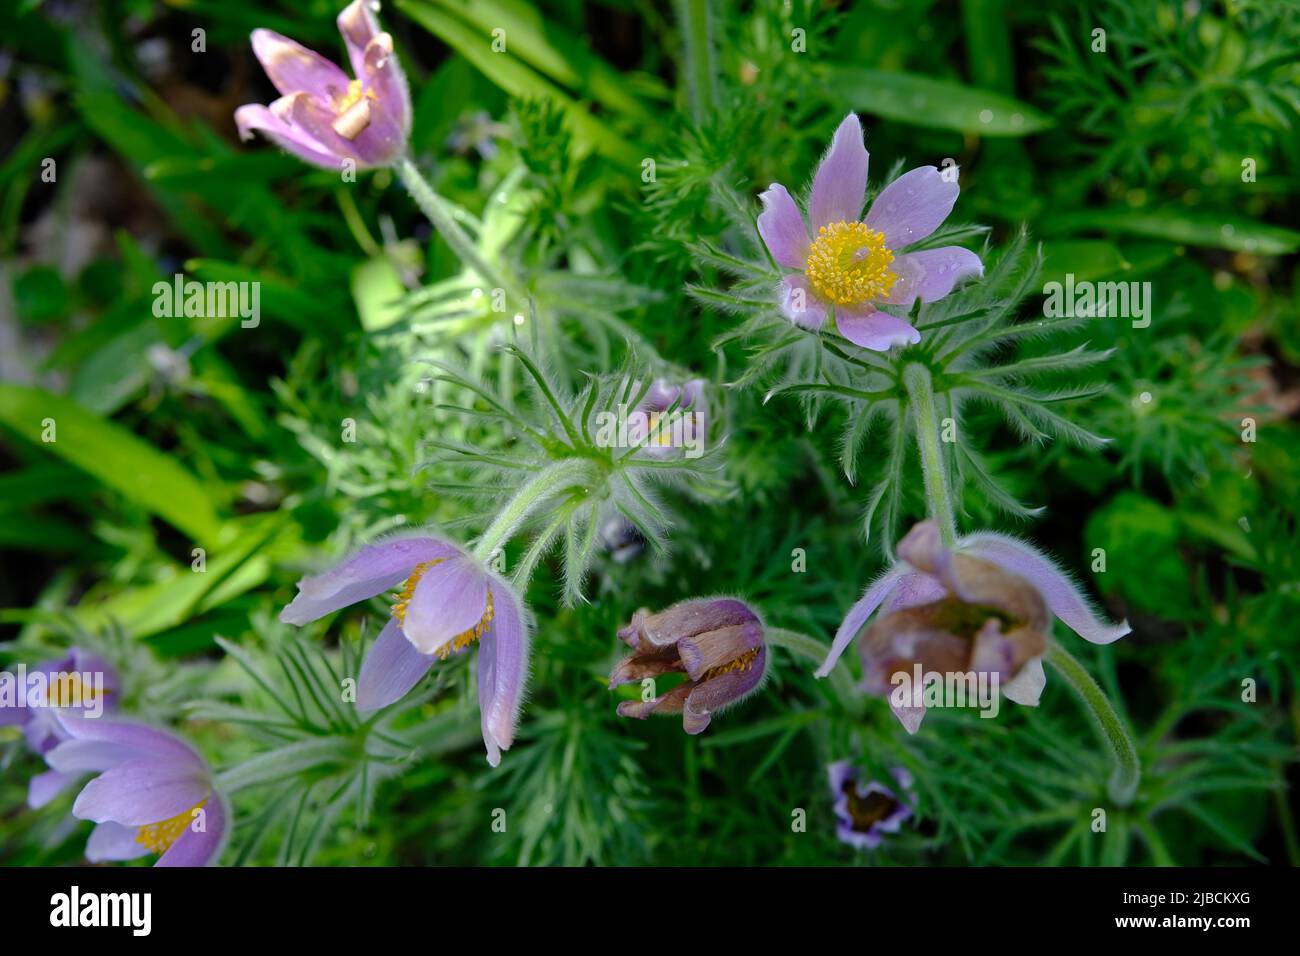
[(151, 793)]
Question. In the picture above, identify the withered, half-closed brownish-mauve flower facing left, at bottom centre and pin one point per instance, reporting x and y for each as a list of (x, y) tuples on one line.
[(717, 643)]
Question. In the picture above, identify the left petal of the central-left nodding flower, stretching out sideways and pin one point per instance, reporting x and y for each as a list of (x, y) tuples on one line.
[(371, 572)]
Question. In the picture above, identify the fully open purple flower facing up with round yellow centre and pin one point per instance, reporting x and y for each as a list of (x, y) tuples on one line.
[(853, 263)]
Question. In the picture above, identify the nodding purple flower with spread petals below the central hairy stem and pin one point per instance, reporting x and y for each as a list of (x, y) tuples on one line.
[(448, 603)]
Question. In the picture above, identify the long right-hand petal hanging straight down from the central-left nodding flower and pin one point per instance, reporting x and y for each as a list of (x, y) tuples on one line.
[(502, 672)]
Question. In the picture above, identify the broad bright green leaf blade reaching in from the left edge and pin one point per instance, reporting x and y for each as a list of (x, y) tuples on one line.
[(118, 458)]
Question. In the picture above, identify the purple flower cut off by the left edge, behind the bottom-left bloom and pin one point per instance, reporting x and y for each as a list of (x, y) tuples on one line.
[(80, 682)]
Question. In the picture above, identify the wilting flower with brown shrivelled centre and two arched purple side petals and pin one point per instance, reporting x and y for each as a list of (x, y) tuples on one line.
[(982, 607)]
